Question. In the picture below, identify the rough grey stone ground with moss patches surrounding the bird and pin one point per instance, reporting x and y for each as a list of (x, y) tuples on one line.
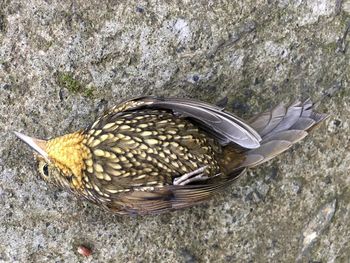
[(62, 63)]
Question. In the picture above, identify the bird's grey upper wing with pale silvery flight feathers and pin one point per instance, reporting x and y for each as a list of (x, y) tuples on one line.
[(225, 127)]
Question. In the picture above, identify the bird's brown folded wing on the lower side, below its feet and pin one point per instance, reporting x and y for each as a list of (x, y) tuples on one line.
[(169, 197)]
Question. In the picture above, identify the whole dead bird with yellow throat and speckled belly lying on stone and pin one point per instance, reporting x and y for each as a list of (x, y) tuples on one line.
[(151, 155)]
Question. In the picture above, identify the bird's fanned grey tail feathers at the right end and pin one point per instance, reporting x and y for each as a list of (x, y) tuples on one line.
[(280, 128)]
